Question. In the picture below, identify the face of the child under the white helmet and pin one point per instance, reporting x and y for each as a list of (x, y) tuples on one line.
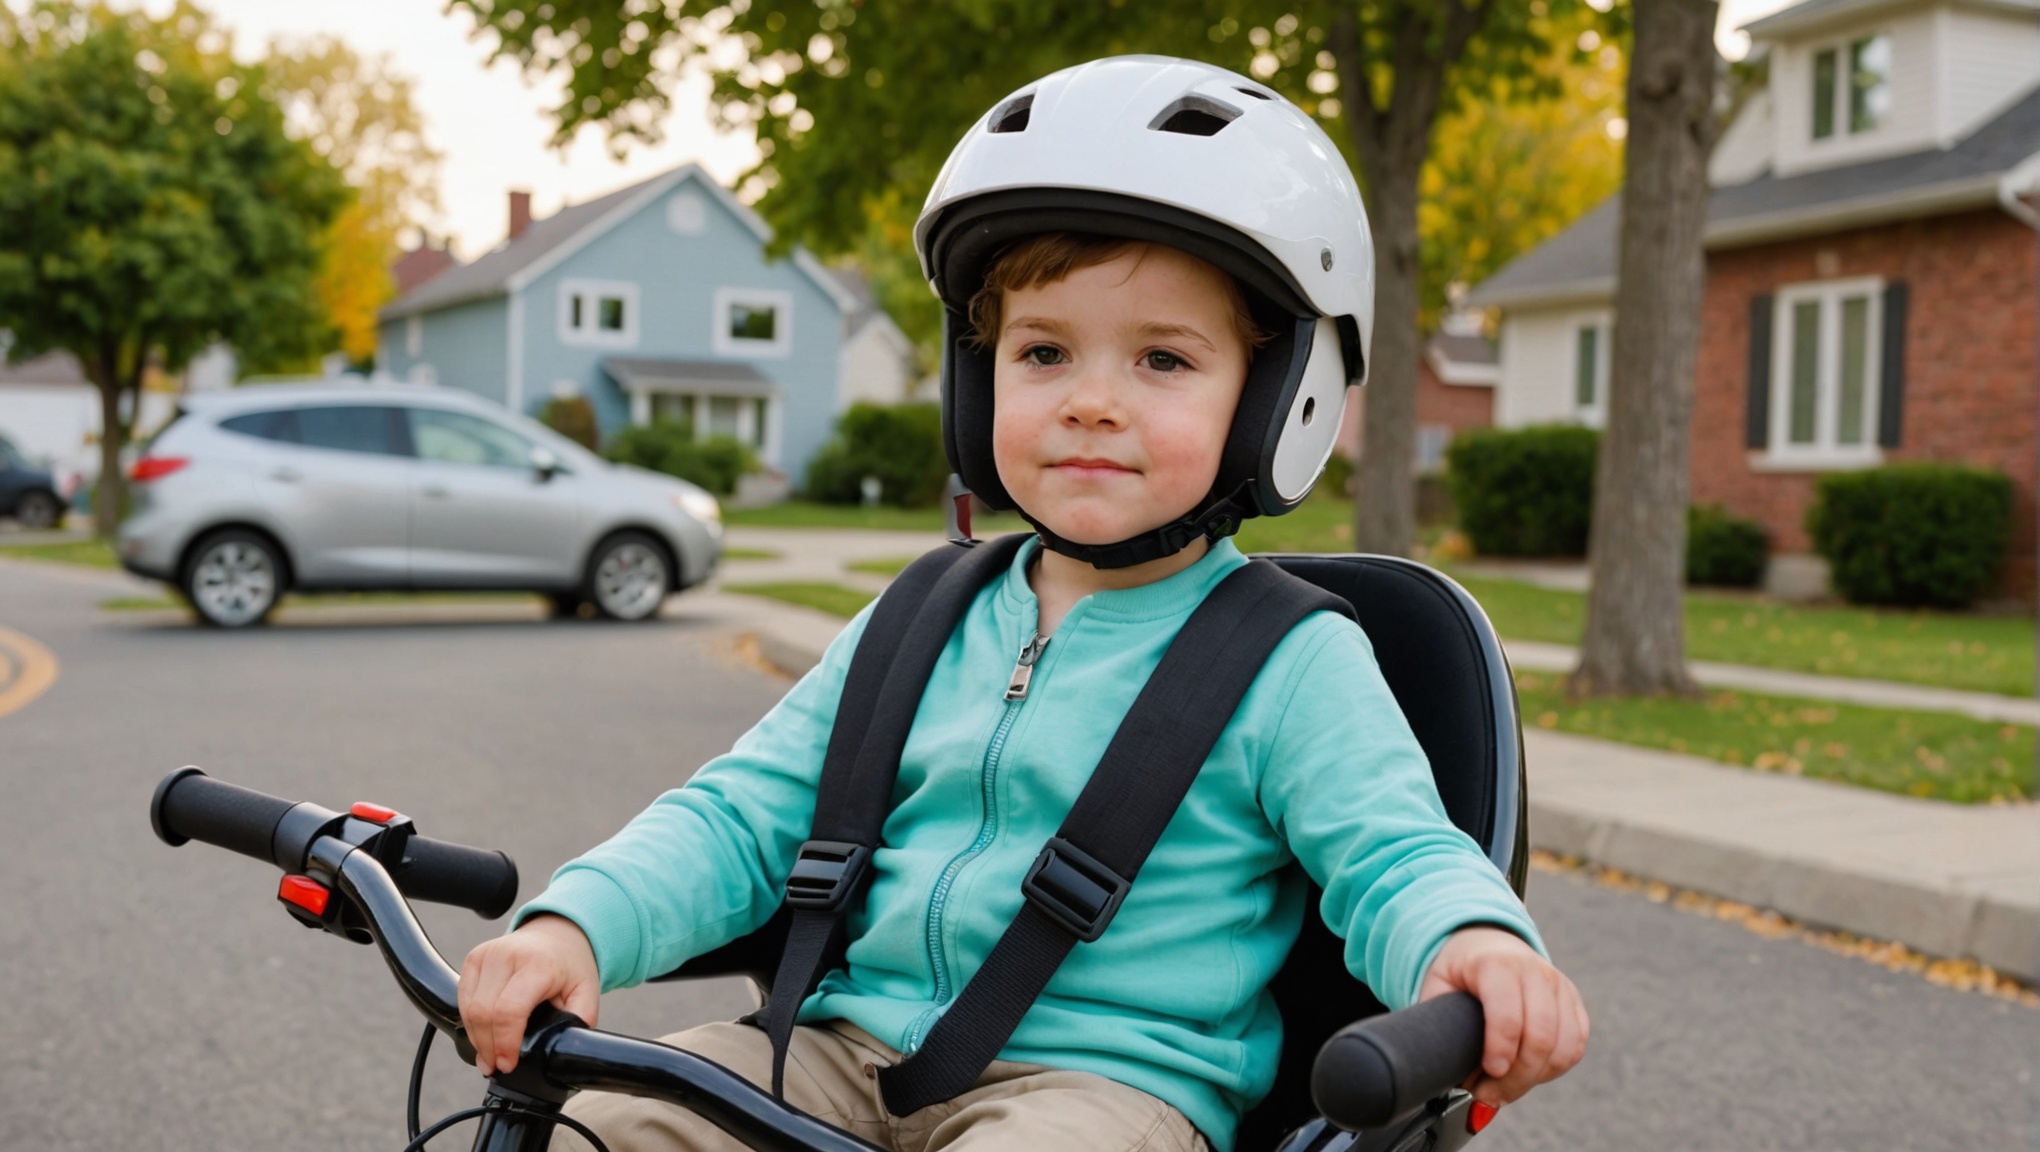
[(1115, 390)]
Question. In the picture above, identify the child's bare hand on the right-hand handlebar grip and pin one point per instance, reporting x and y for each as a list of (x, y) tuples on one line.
[(1537, 1025)]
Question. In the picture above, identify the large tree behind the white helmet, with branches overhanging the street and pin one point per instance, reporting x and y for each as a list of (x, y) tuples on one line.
[(858, 105)]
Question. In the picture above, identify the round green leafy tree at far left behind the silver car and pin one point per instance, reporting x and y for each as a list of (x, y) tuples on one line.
[(150, 205)]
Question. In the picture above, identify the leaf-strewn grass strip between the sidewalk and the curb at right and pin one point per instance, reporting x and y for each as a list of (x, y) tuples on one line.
[(1915, 753)]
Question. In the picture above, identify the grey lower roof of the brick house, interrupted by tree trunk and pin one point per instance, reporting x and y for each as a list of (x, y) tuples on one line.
[(1580, 264)]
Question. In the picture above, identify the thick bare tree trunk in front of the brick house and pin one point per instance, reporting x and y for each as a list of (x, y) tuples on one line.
[(1635, 641)]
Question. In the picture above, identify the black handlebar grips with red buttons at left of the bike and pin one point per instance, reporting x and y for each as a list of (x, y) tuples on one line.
[(195, 806)]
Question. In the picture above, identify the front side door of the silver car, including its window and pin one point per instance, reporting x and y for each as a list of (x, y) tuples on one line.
[(482, 517)]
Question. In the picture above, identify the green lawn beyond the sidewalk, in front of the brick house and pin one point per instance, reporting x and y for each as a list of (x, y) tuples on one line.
[(1980, 653)]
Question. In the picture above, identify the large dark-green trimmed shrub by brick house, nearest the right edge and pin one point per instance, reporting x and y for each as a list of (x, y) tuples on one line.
[(1915, 533)]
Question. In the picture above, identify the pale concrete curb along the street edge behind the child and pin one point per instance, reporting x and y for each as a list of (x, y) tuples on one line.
[(1937, 878)]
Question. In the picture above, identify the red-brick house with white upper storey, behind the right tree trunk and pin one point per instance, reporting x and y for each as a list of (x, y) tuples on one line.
[(1874, 274)]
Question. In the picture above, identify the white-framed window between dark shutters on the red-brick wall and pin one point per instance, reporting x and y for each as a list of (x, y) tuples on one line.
[(1827, 452)]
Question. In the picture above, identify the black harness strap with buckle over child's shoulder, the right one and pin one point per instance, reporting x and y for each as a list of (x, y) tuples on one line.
[(1082, 876)]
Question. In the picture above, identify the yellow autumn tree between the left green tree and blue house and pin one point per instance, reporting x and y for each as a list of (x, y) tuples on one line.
[(360, 117)]
